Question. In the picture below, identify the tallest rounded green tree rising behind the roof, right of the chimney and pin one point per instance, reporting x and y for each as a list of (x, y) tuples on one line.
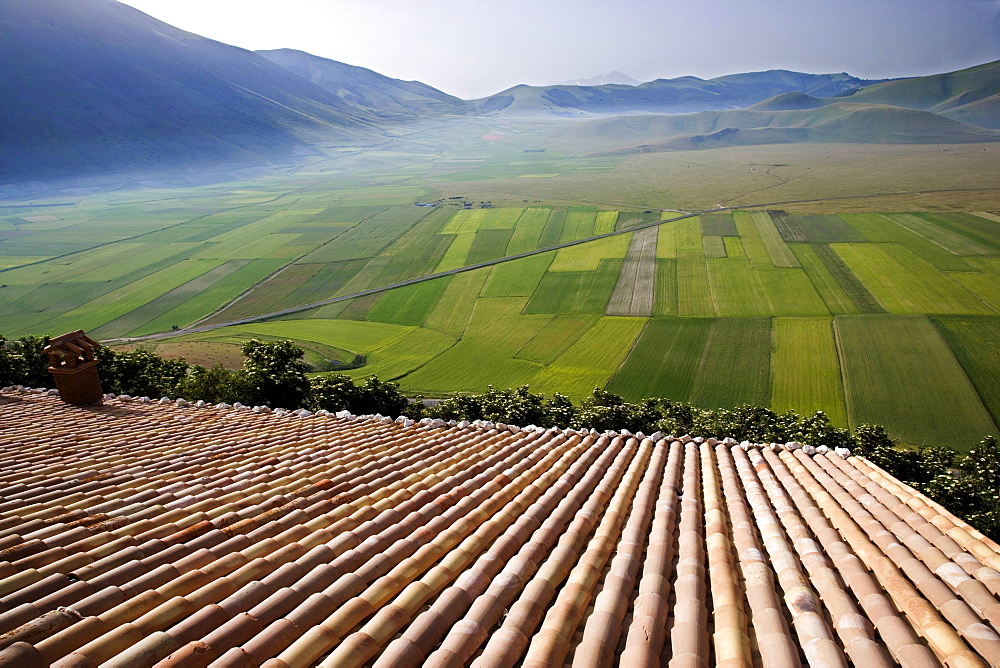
[(275, 373)]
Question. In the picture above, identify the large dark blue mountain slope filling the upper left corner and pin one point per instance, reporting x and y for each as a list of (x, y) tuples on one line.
[(94, 86)]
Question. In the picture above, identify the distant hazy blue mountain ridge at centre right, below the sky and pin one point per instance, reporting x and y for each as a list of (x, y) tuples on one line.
[(666, 96)]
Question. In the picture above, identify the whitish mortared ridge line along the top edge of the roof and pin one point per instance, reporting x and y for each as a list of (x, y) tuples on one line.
[(435, 423)]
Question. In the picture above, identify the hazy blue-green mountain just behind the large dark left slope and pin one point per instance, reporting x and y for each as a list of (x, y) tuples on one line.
[(383, 95)]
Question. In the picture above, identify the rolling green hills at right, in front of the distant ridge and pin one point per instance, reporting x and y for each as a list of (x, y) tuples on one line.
[(897, 112)]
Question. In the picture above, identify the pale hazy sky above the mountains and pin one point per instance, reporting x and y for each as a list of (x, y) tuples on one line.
[(474, 48)]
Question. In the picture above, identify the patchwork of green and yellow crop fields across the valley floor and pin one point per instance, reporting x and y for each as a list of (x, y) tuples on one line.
[(888, 318)]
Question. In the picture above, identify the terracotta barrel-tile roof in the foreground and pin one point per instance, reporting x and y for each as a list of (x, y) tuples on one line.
[(145, 533)]
